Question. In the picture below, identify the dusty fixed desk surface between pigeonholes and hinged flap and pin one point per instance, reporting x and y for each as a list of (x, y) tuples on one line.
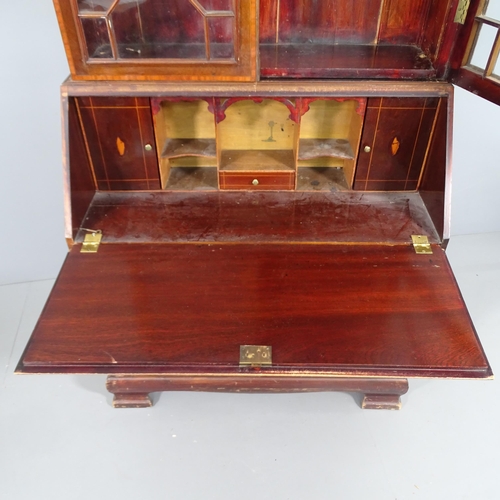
[(259, 217)]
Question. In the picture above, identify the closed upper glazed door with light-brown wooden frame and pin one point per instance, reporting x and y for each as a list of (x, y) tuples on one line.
[(159, 39)]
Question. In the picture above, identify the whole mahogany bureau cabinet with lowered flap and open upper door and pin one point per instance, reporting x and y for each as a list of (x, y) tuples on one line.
[(273, 215)]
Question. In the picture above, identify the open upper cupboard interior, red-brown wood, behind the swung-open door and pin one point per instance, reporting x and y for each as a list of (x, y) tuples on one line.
[(362, 39)]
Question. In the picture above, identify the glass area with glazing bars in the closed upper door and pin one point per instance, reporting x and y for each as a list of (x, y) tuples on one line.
[(159, 29)]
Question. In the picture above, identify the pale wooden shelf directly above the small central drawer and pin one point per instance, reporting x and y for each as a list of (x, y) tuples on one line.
[(257, 160)]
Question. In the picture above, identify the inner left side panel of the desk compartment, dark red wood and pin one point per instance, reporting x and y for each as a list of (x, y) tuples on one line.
[(81, 178)]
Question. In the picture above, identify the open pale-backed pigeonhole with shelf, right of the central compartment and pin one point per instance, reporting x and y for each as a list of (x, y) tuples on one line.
[(330, 132)]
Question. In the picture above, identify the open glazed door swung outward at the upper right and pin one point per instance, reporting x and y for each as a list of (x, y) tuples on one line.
[(476, 60)]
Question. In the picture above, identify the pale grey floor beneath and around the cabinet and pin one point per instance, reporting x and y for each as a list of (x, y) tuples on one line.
[(61, 439)]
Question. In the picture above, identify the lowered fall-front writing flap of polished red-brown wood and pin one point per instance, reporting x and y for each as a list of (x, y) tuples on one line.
[(347, 309)]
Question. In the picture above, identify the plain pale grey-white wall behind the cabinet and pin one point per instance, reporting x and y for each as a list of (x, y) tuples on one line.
[(33, 64)]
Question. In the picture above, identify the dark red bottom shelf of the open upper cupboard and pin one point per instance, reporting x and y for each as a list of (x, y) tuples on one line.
[(344, 61)]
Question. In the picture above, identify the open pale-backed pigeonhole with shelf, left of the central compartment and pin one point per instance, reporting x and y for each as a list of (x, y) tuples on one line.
[(185, 135)]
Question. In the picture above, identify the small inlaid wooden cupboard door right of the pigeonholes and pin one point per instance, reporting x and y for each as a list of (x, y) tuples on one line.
[(394, 143)]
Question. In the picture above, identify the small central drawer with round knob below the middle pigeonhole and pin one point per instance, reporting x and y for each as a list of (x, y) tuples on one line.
[(257, 180)]
